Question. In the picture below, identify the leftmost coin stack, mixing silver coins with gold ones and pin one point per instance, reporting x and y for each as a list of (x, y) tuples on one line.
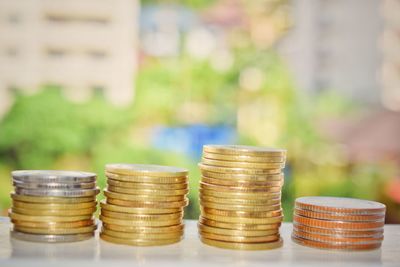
[(53, 206)]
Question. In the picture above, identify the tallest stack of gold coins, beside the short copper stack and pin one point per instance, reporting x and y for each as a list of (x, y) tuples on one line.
[(240, 196)]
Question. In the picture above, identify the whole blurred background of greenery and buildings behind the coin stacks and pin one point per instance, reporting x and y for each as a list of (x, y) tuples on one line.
[(89, 82)]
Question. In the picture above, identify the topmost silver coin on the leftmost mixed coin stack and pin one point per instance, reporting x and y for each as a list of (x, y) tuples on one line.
[(49, 176)]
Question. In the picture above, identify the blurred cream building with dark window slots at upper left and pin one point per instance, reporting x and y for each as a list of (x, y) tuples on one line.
[(81, 45)]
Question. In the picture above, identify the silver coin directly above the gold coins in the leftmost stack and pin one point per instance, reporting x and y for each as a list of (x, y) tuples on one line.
[(57, 193)]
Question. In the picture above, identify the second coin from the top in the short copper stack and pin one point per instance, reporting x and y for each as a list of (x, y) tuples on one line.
[(338, 216)]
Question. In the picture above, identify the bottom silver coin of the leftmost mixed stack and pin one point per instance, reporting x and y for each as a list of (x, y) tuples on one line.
[(50, 238)]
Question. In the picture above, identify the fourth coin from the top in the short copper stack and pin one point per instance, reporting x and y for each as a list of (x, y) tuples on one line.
[(338, 232)]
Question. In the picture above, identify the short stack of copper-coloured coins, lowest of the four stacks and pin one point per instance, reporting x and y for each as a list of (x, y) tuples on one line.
[(338, 223)]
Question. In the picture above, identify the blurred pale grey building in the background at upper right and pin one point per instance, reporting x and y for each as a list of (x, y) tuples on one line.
[(335, 44)]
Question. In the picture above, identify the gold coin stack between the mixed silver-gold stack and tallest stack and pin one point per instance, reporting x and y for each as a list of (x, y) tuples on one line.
[(144, 204)]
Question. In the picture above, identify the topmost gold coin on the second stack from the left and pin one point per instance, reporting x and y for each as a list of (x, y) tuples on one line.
[(146, 170)]
